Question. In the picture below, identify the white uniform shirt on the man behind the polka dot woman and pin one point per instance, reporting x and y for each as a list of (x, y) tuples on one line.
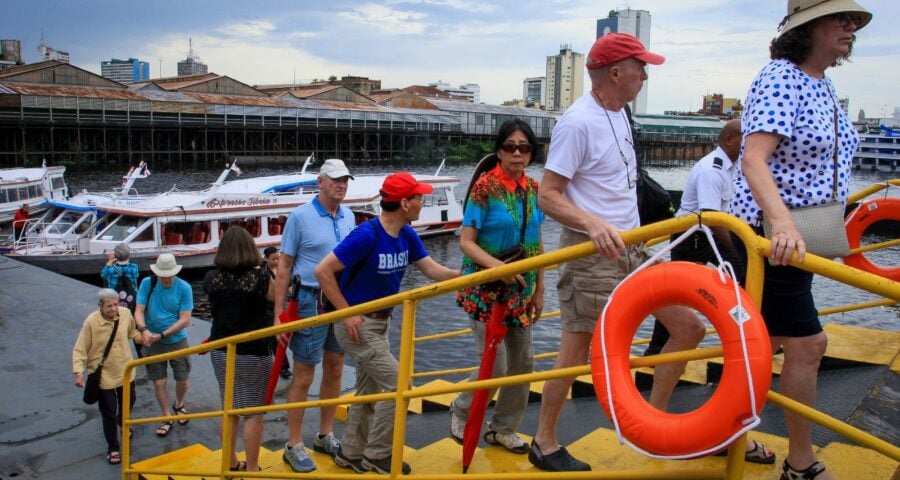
[(709, 185)]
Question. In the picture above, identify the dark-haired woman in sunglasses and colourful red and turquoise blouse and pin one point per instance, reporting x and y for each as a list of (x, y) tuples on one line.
[(501, 215)]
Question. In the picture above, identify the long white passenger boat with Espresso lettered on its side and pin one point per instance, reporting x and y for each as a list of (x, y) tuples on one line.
[(190, 224)]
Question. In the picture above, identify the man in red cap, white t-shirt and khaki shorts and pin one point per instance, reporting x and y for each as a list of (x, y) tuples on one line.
[(589, 186)]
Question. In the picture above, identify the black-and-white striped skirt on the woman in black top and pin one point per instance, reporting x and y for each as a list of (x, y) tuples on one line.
[(251, 377)]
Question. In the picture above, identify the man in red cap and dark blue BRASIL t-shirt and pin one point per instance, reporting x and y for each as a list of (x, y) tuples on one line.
[(372, 261)]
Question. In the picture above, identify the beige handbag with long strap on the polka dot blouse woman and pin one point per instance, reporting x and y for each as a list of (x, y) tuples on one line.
[(821, 226)]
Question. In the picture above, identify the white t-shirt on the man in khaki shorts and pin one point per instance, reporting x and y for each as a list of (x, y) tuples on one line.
[(587, 151)]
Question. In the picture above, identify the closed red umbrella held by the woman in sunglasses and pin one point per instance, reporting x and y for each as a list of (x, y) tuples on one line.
[(494, 333)]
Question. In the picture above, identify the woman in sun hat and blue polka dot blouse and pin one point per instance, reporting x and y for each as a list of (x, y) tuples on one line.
[(787, 161)]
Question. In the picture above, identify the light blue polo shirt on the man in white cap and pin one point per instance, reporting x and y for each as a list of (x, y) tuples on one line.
[(311, 233)]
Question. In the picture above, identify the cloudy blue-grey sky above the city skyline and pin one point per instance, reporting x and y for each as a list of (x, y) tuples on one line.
[(711, 46)]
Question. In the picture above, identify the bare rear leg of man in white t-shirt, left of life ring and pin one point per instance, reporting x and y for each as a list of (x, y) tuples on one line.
[(573, 350)]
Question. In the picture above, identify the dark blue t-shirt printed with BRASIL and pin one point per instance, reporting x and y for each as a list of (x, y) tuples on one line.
[(375, 262)]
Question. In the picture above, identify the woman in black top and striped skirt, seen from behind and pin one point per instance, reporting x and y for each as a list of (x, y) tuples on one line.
[(238, 290)]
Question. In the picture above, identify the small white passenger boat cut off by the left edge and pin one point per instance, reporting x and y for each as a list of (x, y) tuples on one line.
[(34, 186)]
